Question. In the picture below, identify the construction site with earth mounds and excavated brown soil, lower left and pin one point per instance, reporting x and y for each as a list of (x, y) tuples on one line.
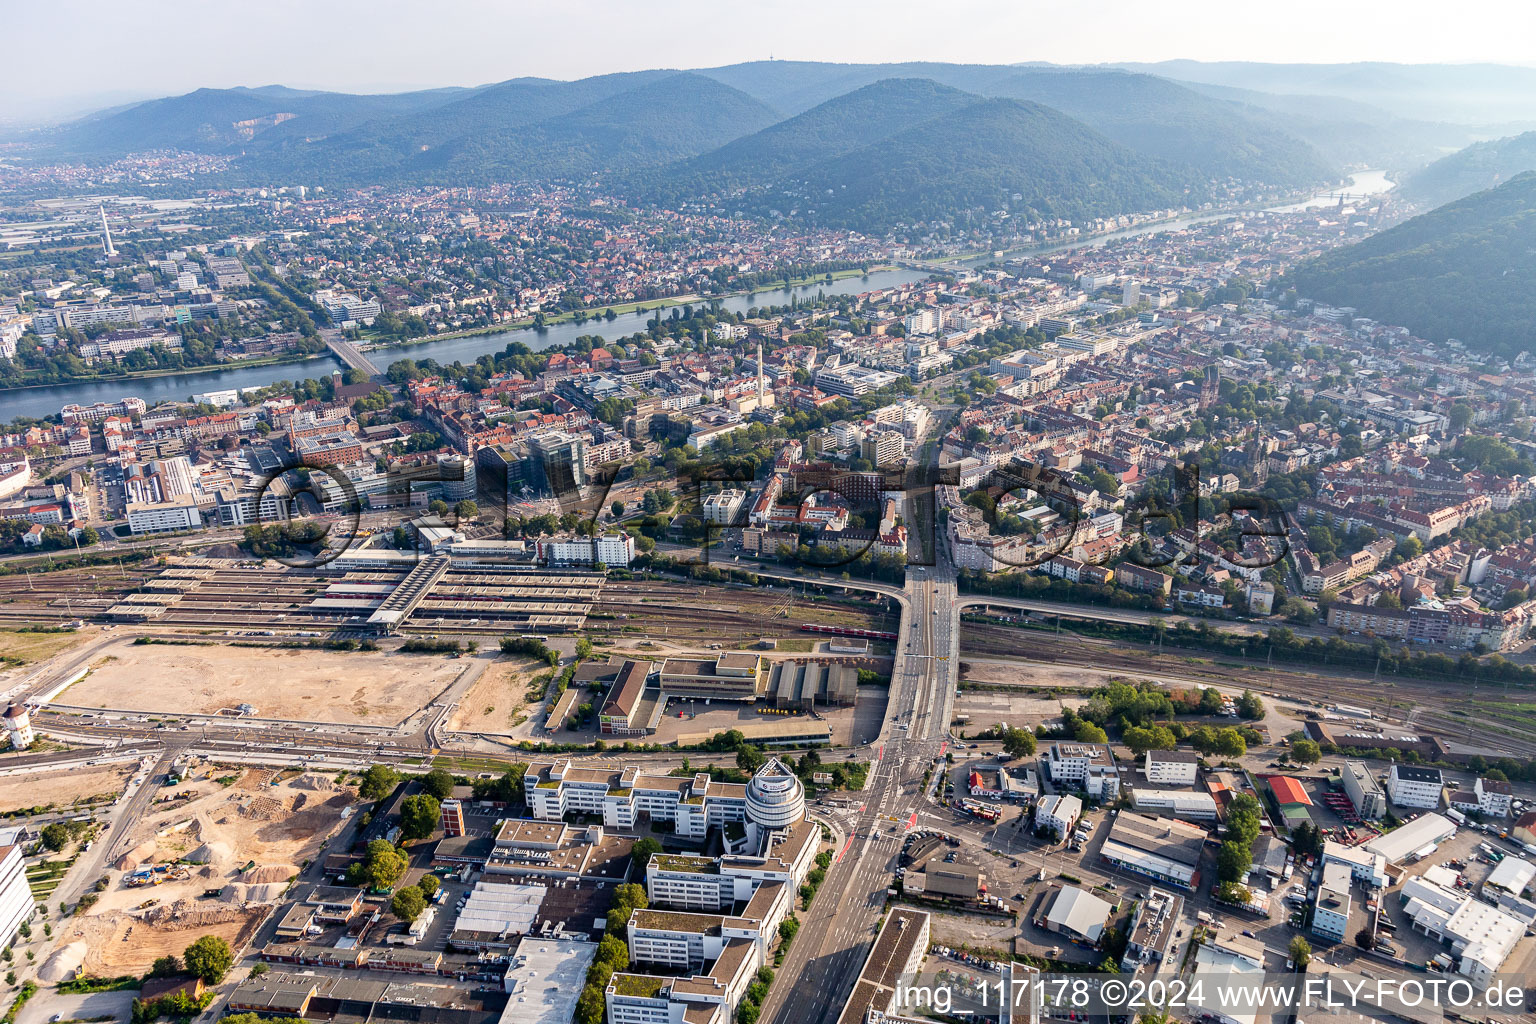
[(211, 857)]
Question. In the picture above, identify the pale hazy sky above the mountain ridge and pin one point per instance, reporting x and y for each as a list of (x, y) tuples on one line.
[(70, 53)]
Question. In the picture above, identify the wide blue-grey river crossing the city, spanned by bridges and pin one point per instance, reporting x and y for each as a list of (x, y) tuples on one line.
[(42, 401)]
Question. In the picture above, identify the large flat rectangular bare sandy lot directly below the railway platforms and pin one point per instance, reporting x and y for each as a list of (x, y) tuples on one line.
[(343, 687)]
